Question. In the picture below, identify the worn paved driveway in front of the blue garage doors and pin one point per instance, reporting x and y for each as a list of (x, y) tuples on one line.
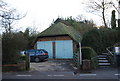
[(52, 65)]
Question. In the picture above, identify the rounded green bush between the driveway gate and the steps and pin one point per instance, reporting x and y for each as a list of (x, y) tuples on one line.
[(90, 54)]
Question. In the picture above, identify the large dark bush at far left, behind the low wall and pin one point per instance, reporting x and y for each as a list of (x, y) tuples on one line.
[(12, 43)]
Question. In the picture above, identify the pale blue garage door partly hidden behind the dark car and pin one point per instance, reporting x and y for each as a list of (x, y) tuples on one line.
[(47, 45)]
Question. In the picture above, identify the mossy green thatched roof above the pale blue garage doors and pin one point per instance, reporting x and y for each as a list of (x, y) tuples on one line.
[(61, 29)]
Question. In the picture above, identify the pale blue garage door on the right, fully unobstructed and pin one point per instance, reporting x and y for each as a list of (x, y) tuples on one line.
[(64, 49)]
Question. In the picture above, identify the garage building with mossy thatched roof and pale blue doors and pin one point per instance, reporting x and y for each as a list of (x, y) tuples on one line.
[(60, 40)]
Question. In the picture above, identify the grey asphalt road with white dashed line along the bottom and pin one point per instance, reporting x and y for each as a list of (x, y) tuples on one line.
[(60, 75)]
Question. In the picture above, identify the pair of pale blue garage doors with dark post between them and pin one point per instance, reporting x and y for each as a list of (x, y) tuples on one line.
[(59, 49)]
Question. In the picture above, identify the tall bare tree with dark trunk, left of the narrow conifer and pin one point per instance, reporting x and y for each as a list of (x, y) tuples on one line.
[(100, 6)]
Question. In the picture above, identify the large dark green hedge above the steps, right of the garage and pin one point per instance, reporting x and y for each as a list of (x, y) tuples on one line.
[(100, 39)]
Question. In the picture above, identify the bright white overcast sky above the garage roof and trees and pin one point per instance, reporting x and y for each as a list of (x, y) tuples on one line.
[(41, 13)]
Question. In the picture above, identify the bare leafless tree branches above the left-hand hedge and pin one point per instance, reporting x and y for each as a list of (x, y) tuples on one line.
[(8, 16)]
